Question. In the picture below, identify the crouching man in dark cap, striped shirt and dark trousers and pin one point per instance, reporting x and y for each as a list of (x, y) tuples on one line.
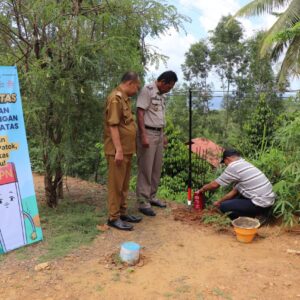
[(251, 194)]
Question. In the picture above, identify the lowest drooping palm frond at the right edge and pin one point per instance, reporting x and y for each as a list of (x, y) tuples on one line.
[(291, 62)]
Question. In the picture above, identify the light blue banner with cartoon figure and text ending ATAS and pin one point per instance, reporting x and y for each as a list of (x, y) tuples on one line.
[(19, 217)]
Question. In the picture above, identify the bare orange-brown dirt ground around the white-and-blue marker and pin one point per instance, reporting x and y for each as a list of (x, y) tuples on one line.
[(179, 260)]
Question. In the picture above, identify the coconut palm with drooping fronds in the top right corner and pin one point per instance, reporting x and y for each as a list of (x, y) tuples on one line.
[(283, 37)]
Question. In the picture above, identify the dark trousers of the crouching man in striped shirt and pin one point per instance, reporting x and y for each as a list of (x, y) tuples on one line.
[(242, 207)]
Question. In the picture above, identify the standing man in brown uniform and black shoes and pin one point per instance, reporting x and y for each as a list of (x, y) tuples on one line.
[(119, 146)]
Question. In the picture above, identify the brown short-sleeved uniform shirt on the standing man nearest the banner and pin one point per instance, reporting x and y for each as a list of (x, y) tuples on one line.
[(118, 113)]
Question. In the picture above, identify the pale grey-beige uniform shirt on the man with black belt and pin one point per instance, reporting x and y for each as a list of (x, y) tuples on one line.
[(154, 105)]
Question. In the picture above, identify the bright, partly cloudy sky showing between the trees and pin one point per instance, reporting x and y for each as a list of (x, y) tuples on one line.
[(204, 15)]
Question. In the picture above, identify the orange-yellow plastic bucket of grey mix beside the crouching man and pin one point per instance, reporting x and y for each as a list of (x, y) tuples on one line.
[(245, 228)]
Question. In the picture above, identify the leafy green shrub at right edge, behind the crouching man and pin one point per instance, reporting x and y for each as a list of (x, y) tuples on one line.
[(281, 165)]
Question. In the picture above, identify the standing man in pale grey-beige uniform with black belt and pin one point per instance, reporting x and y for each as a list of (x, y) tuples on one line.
[(151, 140)]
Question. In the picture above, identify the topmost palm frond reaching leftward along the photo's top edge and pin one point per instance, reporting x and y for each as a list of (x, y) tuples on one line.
[(259, 7)]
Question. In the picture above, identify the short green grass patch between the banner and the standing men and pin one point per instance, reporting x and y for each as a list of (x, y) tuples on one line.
[(68, 227)]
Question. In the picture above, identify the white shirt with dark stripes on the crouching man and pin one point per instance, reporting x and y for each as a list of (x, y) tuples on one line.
[(249, 181)]
